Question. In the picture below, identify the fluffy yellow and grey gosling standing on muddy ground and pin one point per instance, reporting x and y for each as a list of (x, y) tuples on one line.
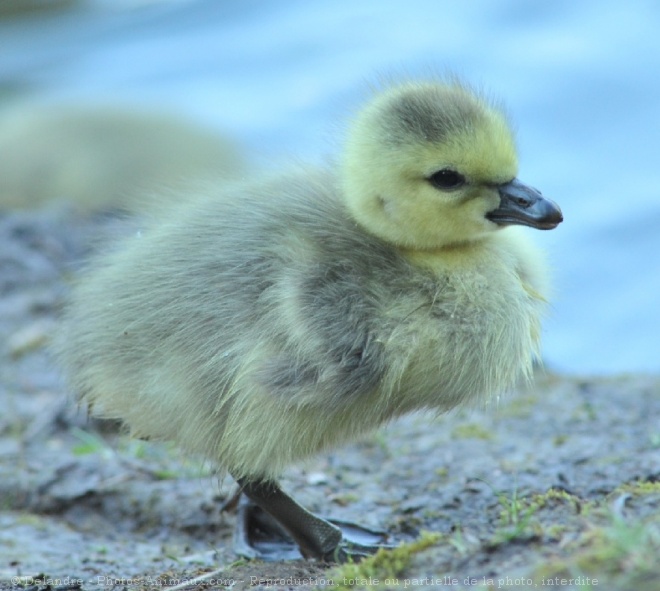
[(263, 323)]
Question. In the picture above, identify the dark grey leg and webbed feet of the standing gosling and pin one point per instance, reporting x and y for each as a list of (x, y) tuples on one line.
[(315, 537)]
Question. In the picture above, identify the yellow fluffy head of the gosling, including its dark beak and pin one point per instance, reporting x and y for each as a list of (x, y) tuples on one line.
[(432, 165)]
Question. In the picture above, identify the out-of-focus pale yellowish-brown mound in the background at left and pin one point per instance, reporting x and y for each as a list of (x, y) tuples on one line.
[(104, 158)]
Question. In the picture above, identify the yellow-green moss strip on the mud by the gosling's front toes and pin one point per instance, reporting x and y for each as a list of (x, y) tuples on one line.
[(386, 564)]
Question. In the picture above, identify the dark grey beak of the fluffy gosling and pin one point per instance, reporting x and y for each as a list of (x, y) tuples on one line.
[(523, 205)]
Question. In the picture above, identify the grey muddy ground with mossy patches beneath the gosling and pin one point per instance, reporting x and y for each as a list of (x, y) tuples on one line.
[(556, 486)]
